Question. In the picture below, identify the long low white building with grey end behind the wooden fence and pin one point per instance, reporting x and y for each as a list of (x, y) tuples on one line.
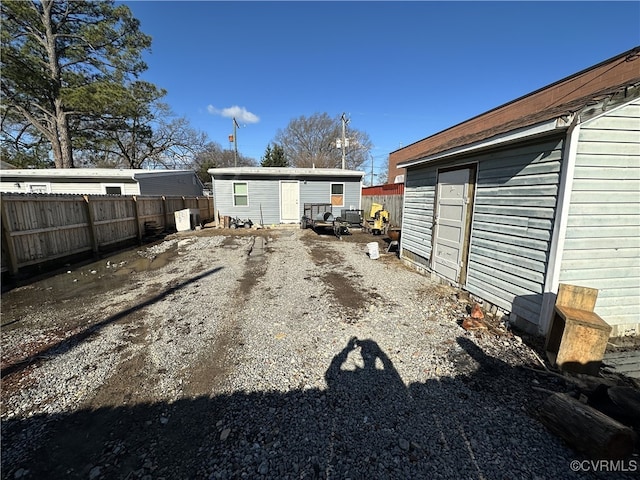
[(101, 181)]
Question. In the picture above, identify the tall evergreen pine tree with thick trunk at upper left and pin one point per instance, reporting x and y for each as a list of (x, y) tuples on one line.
[(65, 64)]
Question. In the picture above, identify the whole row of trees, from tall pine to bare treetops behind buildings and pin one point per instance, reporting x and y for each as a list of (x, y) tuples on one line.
[(72, 96)]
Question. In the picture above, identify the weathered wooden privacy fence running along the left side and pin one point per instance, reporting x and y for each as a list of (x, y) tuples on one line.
[(37, 228)]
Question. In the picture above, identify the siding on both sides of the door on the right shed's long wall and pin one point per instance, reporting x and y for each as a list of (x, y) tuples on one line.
[(512, 221)]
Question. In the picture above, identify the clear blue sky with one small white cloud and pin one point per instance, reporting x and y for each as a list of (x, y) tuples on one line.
[(401, 71)]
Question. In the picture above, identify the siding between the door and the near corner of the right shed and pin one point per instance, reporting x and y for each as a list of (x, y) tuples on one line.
[(514, 209)]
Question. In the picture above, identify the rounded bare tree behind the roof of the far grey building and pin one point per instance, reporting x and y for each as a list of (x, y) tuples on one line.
[(313, 142)]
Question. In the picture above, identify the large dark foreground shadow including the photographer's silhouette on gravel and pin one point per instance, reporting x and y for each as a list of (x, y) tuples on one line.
[(366, 424)]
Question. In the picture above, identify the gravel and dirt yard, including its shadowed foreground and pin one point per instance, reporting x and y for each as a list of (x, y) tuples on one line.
[(266, 354)]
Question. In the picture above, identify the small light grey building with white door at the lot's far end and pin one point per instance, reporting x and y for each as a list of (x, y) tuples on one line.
[(275, 195)]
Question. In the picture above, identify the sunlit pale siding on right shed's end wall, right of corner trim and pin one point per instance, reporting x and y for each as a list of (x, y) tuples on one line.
[(602, 247)]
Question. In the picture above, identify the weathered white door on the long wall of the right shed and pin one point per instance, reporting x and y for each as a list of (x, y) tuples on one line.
[(450, 223)]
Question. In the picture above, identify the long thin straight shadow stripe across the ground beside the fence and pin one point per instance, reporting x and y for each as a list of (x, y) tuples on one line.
[(63, 346)]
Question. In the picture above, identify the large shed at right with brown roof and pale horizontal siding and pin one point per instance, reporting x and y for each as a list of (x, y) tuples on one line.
[(540, 191)]
